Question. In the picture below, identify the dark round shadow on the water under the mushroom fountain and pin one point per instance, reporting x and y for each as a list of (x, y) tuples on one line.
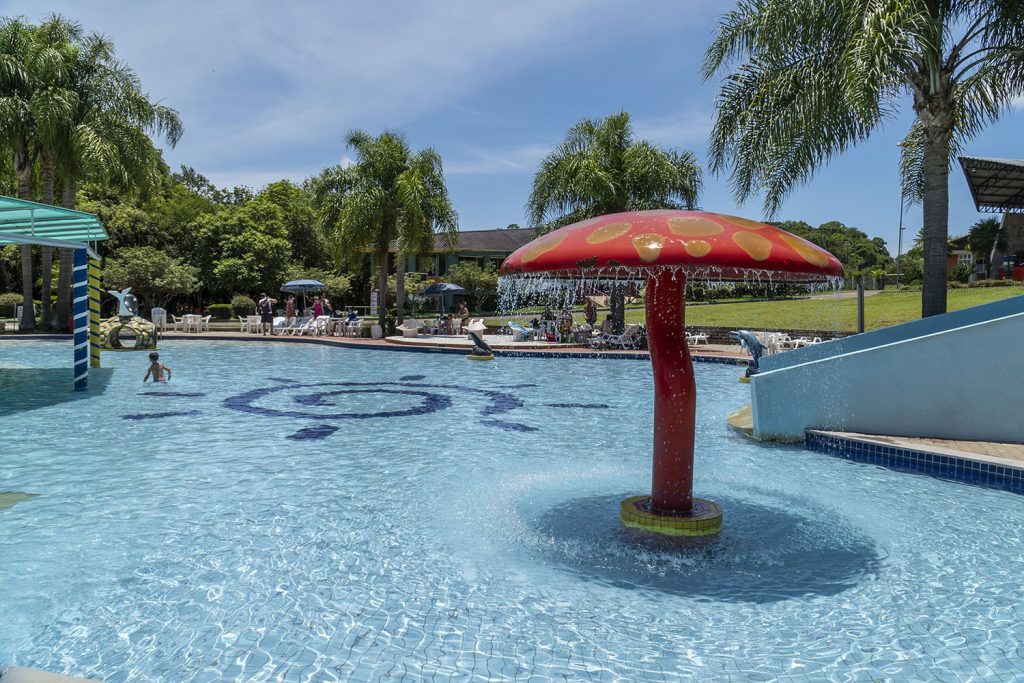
[(766, 553)]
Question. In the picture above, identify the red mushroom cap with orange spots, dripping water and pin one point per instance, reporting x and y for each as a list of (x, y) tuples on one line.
[(711, 245)]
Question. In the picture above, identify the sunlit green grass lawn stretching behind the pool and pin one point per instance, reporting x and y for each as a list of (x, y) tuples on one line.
[(881, 311)]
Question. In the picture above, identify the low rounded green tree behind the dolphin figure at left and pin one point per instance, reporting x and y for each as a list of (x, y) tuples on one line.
[(153, 276)]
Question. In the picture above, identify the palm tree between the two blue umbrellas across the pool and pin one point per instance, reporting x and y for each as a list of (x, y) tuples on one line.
[(391, 194)]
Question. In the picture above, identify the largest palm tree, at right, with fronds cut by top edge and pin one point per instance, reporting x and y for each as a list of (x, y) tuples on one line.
[(808, 79)]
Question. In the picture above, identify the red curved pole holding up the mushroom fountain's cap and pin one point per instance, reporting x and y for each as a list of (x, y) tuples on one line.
[(675, 394)]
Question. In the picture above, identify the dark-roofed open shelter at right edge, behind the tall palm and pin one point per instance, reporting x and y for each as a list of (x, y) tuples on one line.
[(998, 187)]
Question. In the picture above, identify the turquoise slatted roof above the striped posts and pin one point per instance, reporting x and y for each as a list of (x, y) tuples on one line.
[(30, 223)]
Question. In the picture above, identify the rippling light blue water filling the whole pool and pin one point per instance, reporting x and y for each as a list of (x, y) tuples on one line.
[(305, 514)]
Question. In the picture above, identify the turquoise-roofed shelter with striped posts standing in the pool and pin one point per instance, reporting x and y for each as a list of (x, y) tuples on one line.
[(25, 223)]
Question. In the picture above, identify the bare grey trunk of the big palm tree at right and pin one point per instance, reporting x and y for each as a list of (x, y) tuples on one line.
[(936, 210)]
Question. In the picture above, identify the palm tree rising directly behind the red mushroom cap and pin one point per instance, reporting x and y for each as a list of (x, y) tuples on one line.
[(603, 168)]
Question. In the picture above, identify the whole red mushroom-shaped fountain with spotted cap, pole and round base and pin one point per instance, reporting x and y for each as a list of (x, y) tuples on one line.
[(665, 248)]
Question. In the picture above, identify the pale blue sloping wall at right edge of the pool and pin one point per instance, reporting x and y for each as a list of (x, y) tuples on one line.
[(966, 383)]
